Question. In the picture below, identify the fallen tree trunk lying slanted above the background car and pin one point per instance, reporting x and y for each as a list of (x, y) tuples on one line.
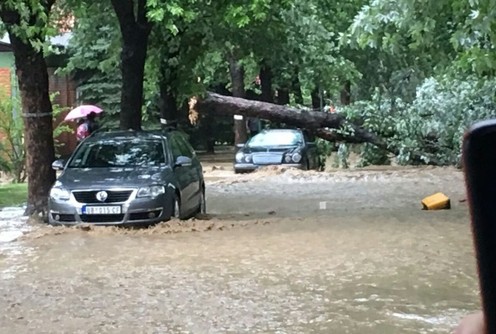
[(323, 125)]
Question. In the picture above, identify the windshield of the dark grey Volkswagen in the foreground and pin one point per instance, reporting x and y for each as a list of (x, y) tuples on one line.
[(122, 153)]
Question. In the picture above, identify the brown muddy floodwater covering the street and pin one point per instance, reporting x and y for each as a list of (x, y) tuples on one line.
[(280, 252)]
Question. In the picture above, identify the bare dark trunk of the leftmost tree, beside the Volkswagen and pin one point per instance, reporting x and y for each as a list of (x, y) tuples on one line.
[(32, 76)]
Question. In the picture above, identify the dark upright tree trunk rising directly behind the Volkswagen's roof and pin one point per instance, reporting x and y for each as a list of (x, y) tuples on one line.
[(135, 30)]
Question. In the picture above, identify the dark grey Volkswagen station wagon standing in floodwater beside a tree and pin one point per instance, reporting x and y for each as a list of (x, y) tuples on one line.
[(128, 178)]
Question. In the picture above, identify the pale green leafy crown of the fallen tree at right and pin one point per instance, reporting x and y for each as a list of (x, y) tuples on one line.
[(433, 124)]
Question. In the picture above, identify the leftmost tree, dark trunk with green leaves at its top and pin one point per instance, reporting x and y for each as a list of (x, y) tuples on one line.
[(27, 23)]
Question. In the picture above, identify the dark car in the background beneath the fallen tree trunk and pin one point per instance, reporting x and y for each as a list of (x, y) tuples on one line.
[(288, 147)]
